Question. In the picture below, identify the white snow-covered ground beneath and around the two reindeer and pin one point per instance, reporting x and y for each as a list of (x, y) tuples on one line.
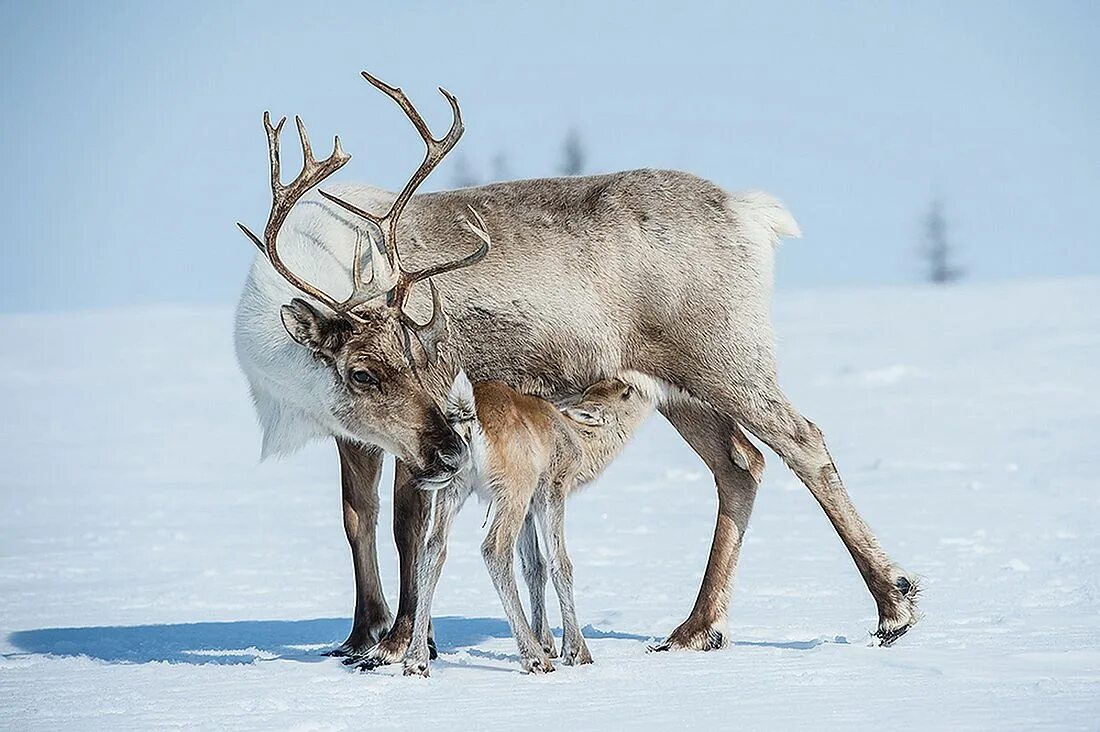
[(152, 574)]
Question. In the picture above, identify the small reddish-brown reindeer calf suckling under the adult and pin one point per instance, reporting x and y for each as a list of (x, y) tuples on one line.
[(524, 456)]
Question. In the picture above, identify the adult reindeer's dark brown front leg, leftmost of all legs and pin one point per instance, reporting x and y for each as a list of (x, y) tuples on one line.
[(360, 471)]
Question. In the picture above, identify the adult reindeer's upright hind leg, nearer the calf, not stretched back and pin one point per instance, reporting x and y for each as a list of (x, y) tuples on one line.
[(738, 467)]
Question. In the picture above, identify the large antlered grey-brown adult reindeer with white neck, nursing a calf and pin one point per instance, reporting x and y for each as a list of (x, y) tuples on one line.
[(654, 272)]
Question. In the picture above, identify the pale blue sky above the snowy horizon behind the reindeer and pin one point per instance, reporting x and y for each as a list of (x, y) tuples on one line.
[(131, 134)]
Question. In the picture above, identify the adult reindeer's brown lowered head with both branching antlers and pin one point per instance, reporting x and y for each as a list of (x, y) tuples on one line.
[(391, 373)]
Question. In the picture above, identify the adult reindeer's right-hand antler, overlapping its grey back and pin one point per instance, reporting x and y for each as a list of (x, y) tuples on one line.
[(436, 150)]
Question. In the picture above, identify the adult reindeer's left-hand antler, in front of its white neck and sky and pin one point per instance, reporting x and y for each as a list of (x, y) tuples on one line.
[(283, 200)]
